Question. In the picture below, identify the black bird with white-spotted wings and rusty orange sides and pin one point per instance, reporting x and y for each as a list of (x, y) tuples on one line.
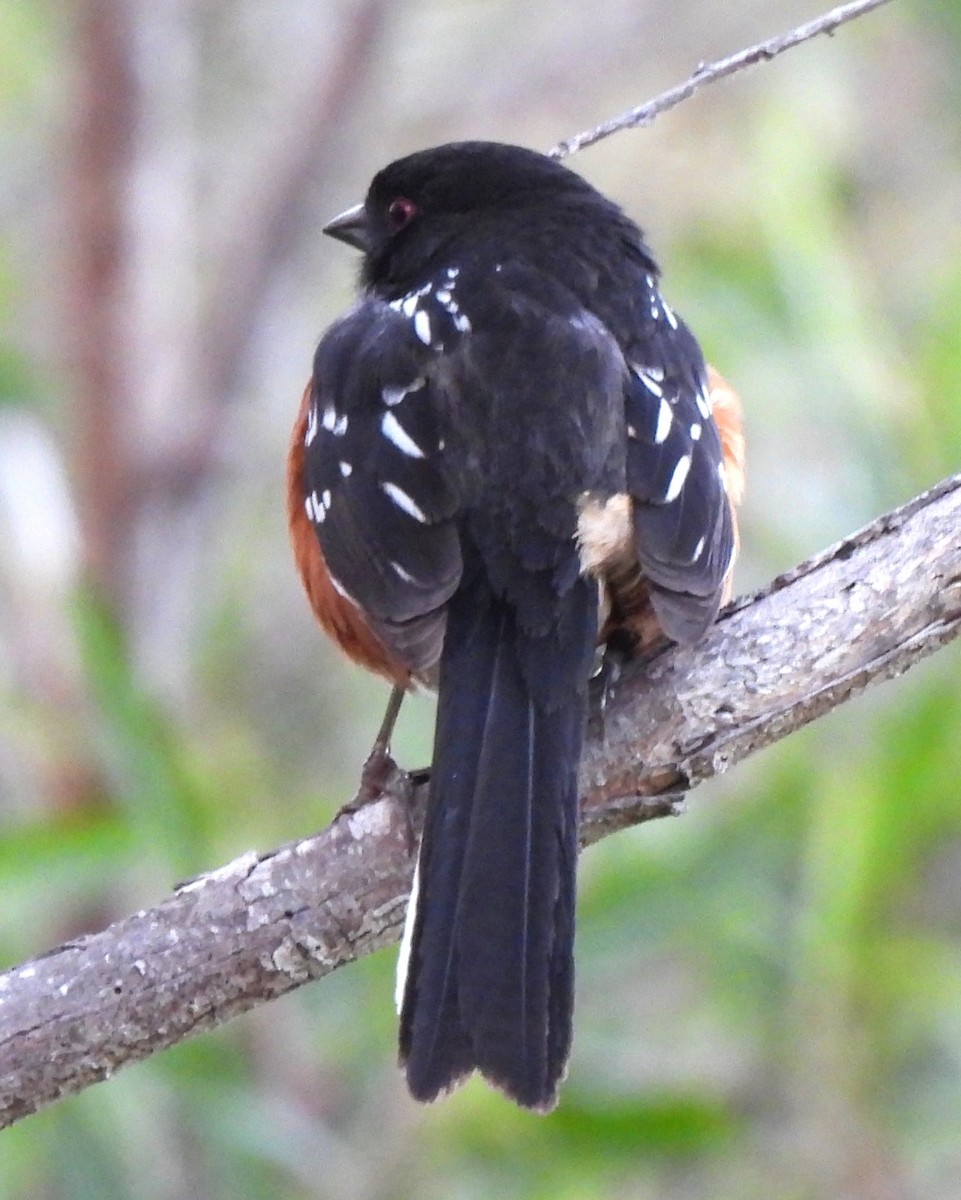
[(510, 454)]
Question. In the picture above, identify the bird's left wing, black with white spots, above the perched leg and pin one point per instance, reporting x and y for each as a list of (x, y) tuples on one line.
[(375, 484)]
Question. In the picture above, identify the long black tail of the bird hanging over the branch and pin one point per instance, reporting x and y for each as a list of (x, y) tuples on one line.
[(490, 943)]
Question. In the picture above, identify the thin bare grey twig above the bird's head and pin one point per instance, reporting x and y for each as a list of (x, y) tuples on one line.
[(711, 73)]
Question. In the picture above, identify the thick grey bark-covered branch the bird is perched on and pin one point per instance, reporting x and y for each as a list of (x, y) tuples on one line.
[(265, 925)]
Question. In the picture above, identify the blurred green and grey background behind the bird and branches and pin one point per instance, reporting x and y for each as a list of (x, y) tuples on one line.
[(770, 988)]
